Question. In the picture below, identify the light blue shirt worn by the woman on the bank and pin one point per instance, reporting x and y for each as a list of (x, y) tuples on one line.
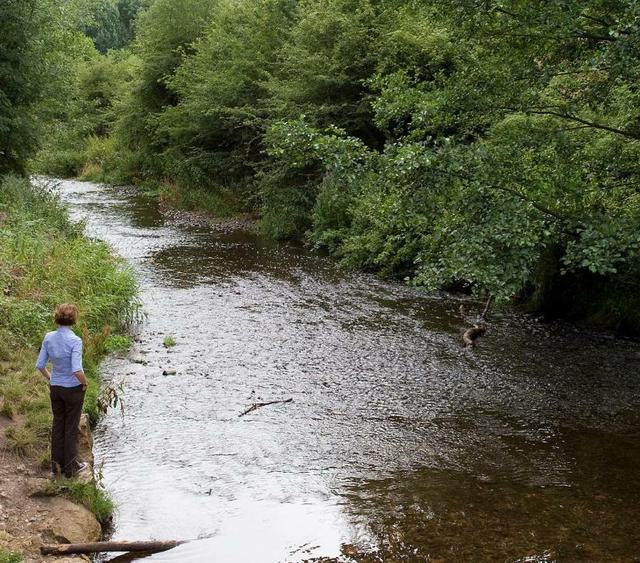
[(64, 349)]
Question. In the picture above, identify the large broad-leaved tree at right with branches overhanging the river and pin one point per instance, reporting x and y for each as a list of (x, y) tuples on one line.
[(511, 155)]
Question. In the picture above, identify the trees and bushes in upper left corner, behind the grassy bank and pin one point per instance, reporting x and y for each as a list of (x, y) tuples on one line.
[(53, 84)]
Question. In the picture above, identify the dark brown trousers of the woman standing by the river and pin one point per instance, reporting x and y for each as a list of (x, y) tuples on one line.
[(66, 404)]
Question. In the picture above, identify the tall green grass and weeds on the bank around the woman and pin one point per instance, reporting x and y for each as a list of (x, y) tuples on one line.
[(45, 260)]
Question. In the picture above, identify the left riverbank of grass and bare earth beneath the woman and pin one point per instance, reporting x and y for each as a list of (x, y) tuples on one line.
[(44, 260)]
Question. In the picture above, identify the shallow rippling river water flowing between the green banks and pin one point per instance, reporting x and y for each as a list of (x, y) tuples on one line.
[(399, 445)]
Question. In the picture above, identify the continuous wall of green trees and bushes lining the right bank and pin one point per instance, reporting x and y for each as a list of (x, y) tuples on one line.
[(489, 145)]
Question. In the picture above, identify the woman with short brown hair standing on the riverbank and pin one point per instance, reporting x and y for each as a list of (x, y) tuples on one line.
[(67, 384)]
